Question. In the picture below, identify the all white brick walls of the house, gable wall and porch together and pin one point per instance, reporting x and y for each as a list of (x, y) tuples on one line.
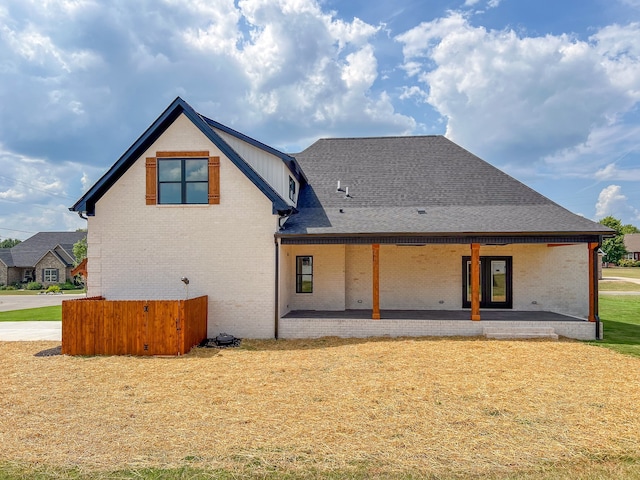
[(227, 251)]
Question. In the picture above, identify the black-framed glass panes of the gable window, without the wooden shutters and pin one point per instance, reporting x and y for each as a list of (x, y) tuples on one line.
[(183, 180)]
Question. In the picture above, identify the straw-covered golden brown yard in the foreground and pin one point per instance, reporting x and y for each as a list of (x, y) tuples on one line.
[(425, 406)]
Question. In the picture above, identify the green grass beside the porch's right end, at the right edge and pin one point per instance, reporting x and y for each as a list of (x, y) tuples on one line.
[(621, 317)]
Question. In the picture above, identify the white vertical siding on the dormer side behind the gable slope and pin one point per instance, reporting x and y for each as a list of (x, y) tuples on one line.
[(270, 167)]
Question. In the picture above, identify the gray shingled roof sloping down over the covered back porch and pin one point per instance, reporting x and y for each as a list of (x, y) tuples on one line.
[(391, 179)]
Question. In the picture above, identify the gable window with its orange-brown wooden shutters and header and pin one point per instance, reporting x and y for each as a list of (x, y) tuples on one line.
[(183, 178)]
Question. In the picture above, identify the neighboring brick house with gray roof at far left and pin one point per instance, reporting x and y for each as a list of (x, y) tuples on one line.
[(47, 257)]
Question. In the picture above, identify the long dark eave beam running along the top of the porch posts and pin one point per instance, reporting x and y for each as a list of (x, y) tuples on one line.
[(432, 240)]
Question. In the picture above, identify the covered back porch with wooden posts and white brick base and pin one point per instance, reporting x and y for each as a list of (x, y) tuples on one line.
[(437, 287)]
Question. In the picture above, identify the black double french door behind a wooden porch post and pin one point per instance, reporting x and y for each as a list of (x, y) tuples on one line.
[(495, 282)]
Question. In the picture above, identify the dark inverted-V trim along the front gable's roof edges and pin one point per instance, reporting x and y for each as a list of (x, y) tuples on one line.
[(88, 201)]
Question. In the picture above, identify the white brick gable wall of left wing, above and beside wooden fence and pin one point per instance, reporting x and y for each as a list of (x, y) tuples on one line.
[(141, 252)]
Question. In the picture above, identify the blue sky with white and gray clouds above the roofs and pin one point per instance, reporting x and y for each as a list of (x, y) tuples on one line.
[(548, 91)]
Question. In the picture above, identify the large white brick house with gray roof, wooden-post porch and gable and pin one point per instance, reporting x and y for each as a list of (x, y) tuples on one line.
[(351, 237)]
